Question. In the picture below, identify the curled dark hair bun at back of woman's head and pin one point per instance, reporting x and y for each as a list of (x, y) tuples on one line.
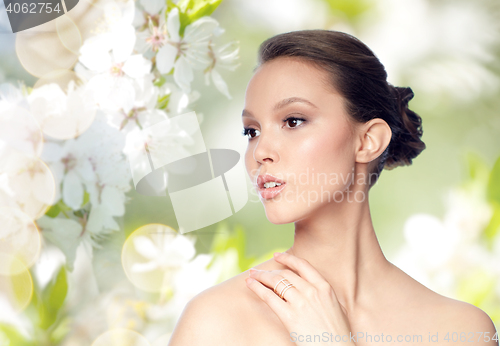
[(406, 142)]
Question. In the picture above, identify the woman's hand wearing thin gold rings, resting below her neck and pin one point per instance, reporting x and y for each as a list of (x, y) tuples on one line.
[(309, 308)]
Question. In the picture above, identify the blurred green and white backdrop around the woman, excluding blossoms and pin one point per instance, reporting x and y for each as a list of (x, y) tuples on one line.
[(459, 105)]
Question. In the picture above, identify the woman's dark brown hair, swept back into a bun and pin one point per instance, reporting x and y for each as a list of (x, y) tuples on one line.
[(357, 74)]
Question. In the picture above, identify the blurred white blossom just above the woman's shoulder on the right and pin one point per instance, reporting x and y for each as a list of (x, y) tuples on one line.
[(438, 252)]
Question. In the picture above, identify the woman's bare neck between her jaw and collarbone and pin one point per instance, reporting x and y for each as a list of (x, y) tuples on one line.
[(341, 244)]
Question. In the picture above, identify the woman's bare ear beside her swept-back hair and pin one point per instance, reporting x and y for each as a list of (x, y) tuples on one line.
[(375, 136)]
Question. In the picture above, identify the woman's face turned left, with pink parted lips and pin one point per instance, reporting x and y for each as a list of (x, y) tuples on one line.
[(298, 132)]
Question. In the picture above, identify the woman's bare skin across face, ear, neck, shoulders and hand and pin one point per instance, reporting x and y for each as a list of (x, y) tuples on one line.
[(343, 282)]
